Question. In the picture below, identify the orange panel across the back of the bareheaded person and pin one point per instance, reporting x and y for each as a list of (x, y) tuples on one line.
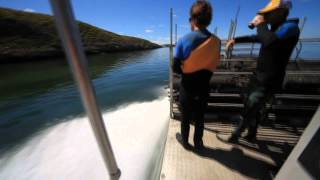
[(205, 57)]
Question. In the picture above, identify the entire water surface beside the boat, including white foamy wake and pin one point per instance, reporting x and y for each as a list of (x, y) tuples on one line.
[(44, 133)]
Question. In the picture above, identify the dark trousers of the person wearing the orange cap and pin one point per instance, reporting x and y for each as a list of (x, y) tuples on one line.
[(255, 98)]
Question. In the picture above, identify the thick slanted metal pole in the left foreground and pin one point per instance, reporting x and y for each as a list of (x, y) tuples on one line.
[(70, 36)]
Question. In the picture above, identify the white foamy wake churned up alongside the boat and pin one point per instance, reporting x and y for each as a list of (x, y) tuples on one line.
[(69, 151)]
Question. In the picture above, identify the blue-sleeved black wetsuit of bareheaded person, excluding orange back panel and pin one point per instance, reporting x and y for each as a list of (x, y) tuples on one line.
[(194, 87)]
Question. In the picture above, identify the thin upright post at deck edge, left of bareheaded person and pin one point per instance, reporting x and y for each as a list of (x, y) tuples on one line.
[(170, 64)]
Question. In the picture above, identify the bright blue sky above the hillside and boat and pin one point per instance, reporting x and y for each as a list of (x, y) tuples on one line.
[(149, 19)]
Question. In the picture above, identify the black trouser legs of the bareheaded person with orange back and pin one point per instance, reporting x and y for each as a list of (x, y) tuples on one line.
[(192, 107)]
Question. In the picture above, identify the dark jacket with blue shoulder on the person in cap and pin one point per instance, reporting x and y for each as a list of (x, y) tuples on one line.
[(277, 45)]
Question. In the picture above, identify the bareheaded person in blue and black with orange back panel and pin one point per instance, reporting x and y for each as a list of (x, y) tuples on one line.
[(197, 55)]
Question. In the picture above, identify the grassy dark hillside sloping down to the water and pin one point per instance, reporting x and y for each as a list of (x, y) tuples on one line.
[(28, 36)]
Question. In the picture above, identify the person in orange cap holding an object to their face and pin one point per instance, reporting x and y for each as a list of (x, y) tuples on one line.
[(277, 45)]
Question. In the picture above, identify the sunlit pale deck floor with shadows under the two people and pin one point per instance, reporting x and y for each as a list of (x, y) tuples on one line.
[(218, 160)]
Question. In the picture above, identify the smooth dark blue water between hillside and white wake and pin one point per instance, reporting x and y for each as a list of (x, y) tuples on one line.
[(37, 95)]
